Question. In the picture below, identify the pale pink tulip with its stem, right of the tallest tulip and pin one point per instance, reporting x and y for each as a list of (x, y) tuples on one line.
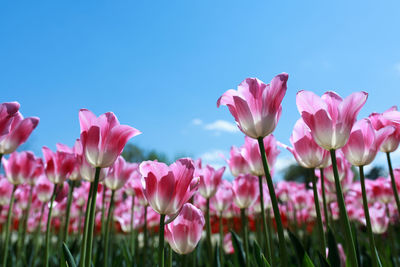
[(330, 119)]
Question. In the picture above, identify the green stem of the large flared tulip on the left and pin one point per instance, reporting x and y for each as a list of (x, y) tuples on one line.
[(92, 215)]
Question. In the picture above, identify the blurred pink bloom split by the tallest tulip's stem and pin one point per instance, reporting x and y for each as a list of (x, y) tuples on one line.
[(251, 152)]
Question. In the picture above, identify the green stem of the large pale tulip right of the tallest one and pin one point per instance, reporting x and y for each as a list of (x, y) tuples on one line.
[(343, 214)]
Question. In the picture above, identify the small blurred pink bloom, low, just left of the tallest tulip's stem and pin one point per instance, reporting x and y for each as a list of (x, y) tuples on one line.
[(245, 190)]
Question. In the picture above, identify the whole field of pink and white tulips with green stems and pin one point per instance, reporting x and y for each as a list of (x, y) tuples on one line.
[(88, 206)]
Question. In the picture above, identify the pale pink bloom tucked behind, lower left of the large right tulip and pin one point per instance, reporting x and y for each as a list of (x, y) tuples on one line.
[(305, 150)]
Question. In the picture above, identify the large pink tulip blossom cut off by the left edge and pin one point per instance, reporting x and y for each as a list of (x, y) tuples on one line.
[(14, 129)]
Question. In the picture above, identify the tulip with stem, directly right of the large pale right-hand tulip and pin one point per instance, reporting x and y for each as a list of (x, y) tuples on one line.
[(360, 150)]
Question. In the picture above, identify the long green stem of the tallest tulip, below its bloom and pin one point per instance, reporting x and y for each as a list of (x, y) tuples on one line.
[(274, 202)]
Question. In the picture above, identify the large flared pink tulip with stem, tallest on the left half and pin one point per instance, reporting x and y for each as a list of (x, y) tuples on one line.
[(103, 139)]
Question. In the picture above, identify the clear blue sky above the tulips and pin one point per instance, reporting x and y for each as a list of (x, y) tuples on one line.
[(160, 66)]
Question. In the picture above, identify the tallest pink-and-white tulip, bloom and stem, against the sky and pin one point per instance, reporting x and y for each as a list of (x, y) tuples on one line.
[(256, 107)]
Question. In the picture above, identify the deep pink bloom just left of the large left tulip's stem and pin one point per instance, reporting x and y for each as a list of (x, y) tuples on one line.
[(58, 165)]
